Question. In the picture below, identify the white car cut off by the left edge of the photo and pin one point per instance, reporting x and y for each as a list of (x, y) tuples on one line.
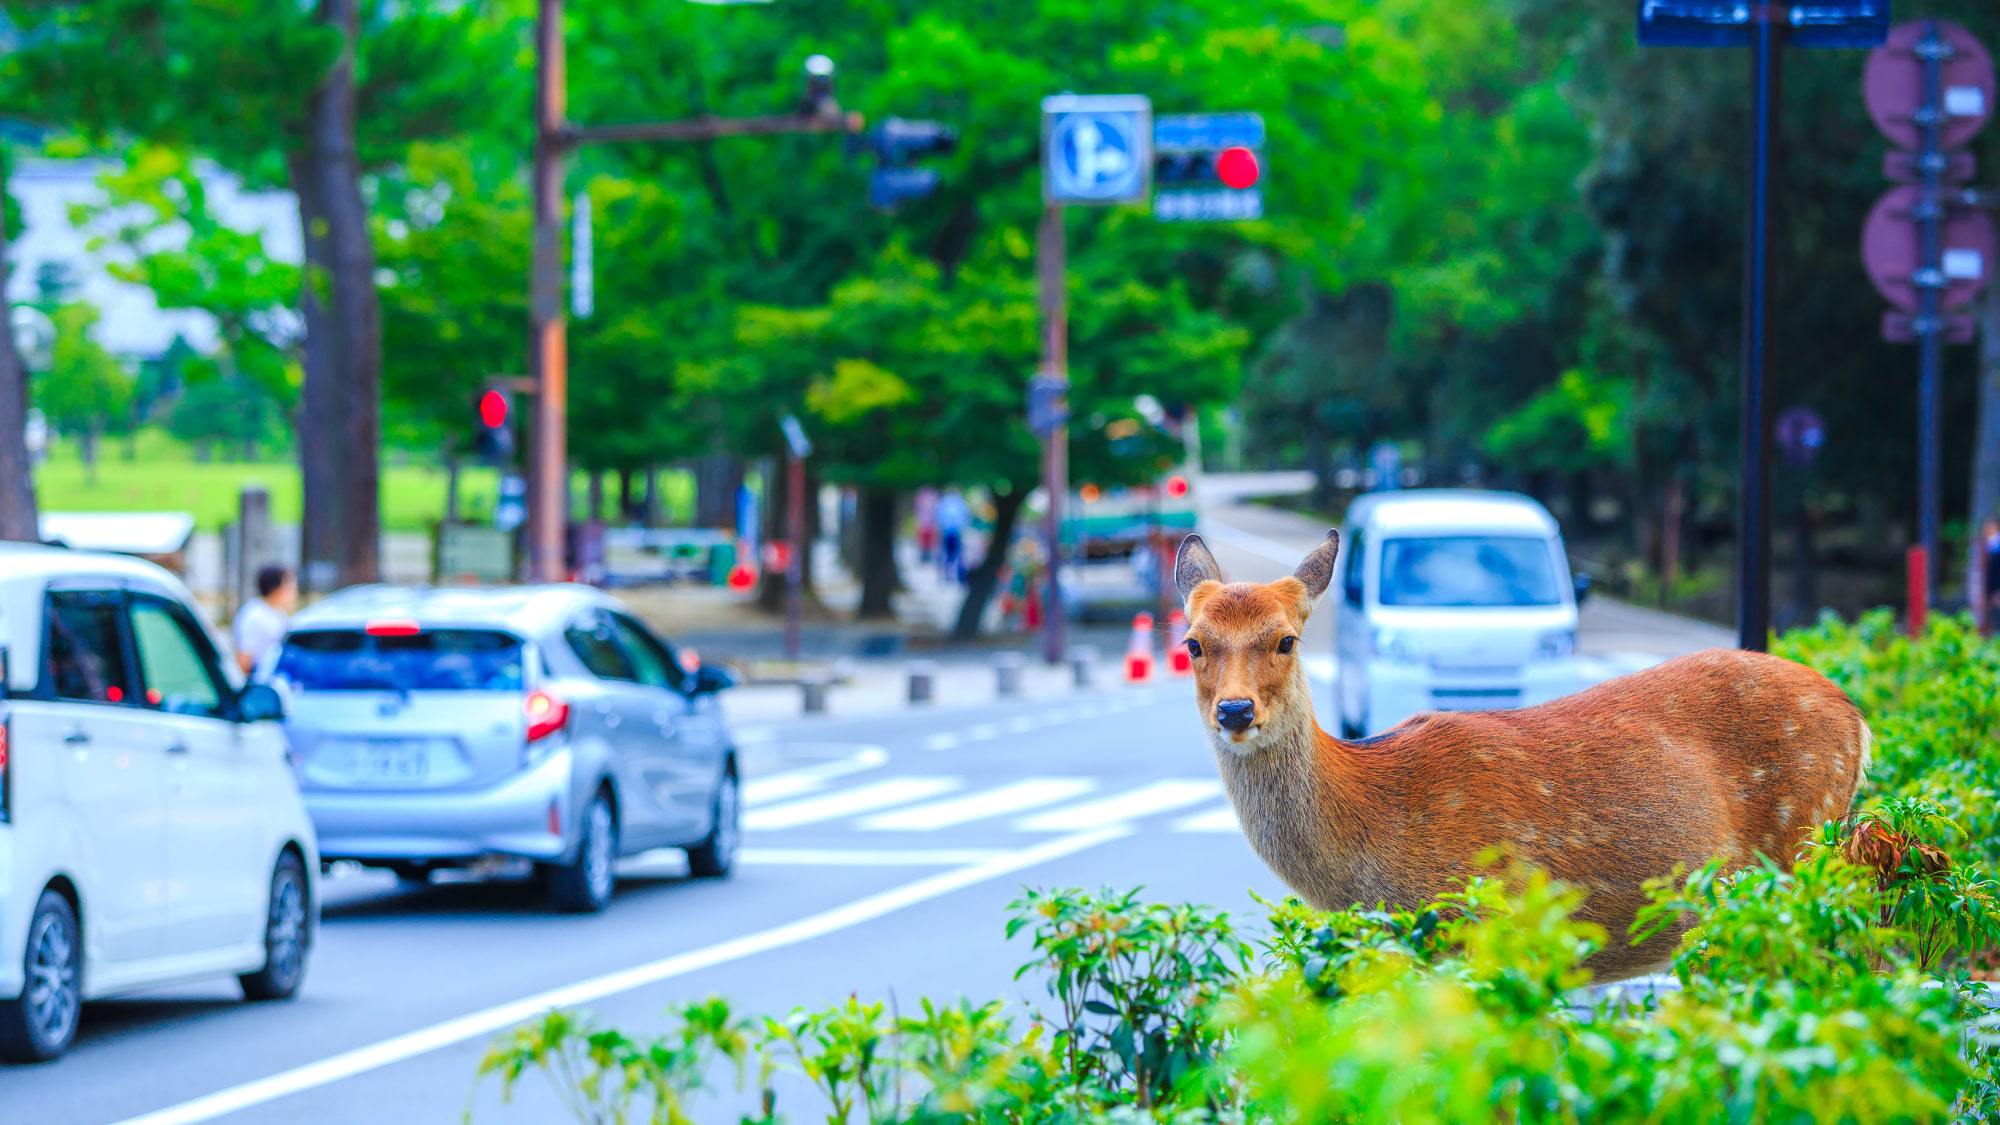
[(151, 828)]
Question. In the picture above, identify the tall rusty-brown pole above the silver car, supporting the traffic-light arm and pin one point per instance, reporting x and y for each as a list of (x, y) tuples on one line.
[(547, 343)]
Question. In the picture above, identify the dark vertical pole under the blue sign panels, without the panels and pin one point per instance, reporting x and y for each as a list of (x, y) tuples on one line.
[(1753, 523)]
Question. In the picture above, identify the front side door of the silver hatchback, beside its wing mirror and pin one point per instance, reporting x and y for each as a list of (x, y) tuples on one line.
[(687, 754)]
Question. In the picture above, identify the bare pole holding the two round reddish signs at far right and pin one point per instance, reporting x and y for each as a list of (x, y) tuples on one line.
[(1931, 303)]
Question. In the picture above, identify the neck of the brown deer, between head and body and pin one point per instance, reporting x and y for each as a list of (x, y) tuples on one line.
[(1305, 812)]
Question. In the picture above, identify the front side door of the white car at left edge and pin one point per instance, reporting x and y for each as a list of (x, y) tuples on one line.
[(217, 870)]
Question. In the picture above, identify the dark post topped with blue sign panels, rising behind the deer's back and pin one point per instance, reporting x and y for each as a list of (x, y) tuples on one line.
[(1765, 29)]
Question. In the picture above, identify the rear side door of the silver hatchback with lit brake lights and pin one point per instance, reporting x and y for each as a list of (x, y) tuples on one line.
[(623, 710)]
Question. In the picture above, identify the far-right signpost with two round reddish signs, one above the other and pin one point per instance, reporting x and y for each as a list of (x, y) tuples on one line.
[(1931, 91)]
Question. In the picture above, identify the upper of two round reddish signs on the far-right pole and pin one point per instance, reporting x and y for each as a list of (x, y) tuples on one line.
[(1895, 85)]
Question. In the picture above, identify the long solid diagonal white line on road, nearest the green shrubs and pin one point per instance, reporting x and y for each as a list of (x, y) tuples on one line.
[(497, 1018)]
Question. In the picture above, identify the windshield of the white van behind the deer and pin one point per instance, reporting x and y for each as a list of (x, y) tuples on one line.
[(1469, 572)]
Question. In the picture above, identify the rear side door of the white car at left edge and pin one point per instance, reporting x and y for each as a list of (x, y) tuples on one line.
[(113, 774)]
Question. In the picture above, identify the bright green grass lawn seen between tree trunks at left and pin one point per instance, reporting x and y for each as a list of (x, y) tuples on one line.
[(163, 475)]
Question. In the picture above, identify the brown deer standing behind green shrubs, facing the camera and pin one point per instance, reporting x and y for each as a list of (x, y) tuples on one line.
[(1715, 756)]
